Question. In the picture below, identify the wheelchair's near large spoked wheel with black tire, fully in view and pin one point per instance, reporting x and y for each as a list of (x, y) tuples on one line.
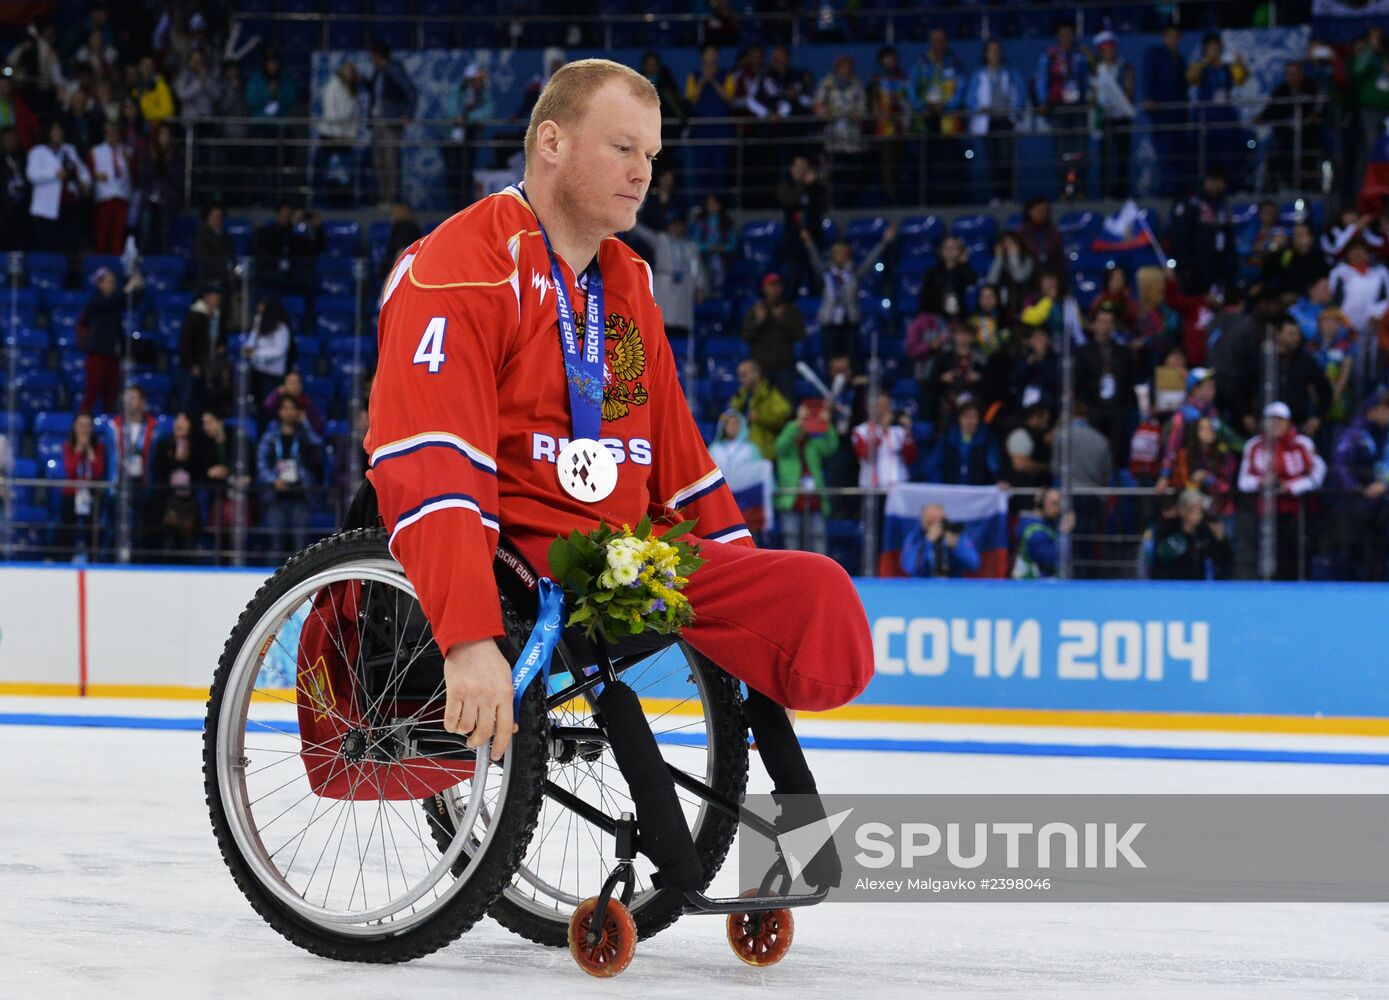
[(359, 874)]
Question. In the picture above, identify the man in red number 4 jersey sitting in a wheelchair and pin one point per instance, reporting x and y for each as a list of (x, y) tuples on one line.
[(476, 420)]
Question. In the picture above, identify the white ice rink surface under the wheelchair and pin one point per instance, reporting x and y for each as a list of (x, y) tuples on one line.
[(112, 887)]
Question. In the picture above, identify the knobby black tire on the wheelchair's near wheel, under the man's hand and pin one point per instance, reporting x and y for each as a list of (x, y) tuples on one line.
[(502, 855)]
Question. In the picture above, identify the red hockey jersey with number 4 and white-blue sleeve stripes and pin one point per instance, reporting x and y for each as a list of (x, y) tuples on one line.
[(470, 410)]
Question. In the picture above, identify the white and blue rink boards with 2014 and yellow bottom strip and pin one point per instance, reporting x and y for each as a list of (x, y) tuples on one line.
[(1230, 656)]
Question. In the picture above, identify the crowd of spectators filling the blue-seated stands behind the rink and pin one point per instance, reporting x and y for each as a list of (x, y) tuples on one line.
[(845, 349)]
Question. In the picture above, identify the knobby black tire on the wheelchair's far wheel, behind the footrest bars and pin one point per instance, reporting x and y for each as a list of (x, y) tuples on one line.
[(656, 910)]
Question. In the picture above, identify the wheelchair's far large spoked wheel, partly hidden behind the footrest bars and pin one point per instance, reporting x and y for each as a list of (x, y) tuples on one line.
[(695, 710)]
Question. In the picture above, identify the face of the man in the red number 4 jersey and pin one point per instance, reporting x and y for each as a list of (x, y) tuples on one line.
[(605, 159)]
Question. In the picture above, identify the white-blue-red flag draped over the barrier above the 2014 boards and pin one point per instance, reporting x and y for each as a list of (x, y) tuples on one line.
[(983, 510)]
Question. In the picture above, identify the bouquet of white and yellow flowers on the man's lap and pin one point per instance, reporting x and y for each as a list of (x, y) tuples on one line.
[(627, 583)]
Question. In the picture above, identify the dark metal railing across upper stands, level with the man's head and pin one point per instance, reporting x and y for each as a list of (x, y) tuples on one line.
[(744, 159)]
